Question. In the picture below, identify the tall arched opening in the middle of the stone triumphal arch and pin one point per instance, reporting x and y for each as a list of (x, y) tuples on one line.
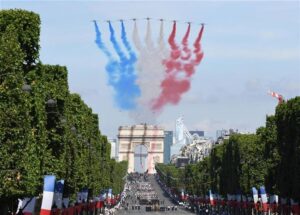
[(140, 158)]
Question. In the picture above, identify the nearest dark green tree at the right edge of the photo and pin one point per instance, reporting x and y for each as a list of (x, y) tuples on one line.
[(287, 119)]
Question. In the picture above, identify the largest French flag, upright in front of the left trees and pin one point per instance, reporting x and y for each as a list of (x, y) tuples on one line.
[(48, 194)]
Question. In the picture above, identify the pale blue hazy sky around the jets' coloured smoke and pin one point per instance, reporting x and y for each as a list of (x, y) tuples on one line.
[(249, 47)]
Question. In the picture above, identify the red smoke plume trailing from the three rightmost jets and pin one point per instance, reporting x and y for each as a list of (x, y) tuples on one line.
[(180, 66)]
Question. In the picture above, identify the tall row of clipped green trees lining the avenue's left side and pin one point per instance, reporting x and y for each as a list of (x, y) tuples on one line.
[(45, 129)]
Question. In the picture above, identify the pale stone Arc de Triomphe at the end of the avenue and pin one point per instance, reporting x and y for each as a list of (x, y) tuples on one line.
[(141, 144)]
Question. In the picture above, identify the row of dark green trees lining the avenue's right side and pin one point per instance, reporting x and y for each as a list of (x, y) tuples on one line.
[(270, 157)]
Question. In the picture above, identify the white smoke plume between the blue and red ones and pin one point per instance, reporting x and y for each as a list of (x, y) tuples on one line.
[(150, 71)]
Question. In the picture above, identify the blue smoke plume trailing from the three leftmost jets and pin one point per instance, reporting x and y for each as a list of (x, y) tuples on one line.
[(120, 72)]
